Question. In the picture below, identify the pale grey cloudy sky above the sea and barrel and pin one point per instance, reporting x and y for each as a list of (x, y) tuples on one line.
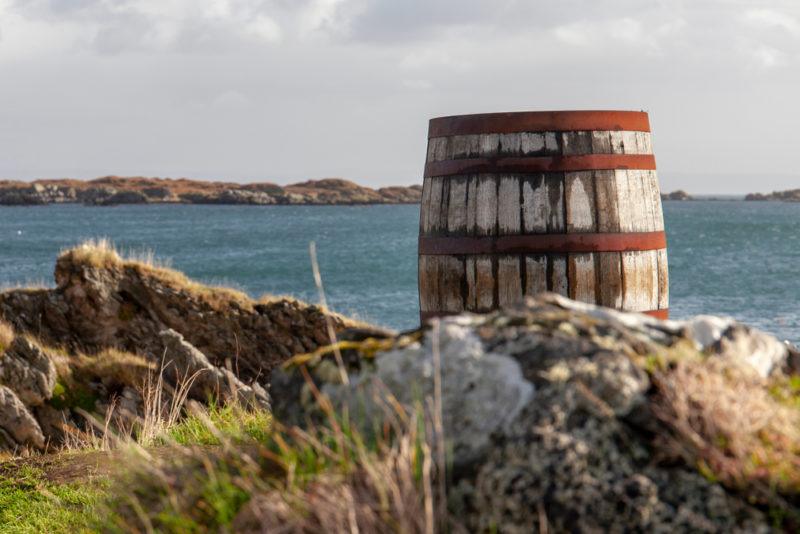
[(288, 90)]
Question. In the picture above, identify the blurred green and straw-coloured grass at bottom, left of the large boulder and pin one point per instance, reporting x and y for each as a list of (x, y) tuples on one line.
[(327, 479)]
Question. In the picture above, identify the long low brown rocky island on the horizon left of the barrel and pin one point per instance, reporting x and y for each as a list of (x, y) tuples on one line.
[(113, 190)]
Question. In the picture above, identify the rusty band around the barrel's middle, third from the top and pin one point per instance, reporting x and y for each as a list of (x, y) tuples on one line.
[(542, 243)]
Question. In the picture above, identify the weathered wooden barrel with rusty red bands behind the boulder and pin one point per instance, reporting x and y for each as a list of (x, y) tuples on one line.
[(517, 204)]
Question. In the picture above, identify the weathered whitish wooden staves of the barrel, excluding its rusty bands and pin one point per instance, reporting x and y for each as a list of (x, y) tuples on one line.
[(600, 201)]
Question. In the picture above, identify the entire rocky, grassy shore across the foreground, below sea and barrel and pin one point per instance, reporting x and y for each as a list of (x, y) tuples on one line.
[(133, 399)]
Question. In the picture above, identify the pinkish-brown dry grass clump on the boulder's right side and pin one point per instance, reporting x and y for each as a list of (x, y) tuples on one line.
[(724, 420)]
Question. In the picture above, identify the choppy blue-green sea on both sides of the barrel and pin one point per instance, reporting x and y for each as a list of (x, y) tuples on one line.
[(726, 257)]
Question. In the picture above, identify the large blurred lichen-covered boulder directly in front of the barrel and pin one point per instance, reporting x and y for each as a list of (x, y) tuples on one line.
[(570, 418)]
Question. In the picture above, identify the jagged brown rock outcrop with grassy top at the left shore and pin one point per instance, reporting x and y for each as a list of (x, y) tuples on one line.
[(89, 344)]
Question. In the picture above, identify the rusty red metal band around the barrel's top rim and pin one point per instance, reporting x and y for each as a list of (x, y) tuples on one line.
[(539, 121)]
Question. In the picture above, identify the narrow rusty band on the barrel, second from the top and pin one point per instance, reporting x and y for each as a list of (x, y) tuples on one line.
[(588, 162)]
